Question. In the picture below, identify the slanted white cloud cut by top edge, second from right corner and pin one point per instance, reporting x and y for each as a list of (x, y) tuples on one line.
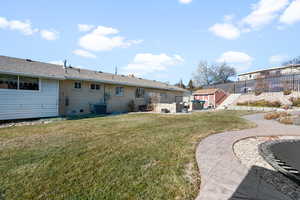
[(264, 12)]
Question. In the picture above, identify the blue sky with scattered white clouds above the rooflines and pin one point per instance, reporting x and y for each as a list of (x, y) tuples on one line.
[(154, 39)]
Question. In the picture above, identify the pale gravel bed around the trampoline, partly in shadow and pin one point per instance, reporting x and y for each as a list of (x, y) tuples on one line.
[(247, 152)]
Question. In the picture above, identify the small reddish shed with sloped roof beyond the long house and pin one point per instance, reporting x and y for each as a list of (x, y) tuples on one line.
[(212, 97)]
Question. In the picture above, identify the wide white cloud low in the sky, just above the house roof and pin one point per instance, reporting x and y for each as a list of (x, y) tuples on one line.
[(146, 63)]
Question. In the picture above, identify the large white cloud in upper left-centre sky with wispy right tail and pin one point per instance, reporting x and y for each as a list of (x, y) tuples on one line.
[(103, 39)]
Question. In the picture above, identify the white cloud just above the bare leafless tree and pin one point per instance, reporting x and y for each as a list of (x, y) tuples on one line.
[(241, 61)]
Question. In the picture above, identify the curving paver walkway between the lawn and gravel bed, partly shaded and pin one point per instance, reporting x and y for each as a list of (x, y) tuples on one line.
[(224, 177)]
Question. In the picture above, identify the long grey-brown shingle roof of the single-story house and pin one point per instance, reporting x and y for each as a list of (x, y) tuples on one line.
[(9, 65)]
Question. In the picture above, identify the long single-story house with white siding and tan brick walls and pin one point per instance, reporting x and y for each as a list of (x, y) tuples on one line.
[(32, 89)]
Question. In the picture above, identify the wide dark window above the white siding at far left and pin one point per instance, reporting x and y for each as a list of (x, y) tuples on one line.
[(18, 82)]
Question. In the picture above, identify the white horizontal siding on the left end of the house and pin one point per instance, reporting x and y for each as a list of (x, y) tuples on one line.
[(21, 104)]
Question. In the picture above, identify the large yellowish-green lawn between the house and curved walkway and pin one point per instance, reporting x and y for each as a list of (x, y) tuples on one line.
[(135, 156)]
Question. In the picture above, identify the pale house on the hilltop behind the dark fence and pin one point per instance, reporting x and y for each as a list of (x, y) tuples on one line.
[(276, 71)]
